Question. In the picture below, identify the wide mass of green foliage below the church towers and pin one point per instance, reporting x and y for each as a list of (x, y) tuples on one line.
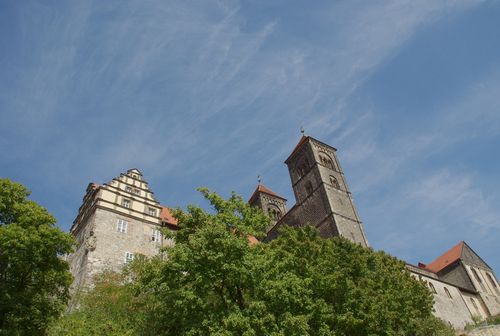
[(214, 282)]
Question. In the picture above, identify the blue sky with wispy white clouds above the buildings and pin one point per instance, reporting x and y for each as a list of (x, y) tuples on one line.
[(213, 93)]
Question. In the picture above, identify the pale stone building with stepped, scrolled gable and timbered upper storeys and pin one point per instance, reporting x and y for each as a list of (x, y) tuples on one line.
[(116, 221)]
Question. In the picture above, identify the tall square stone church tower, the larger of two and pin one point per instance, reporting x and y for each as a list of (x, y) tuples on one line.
[(323, 199)]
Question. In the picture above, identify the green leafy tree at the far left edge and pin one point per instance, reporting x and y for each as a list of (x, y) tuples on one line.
[(34, 279)]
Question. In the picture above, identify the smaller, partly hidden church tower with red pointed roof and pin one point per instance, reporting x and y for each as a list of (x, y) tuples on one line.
[(270, 202)]
